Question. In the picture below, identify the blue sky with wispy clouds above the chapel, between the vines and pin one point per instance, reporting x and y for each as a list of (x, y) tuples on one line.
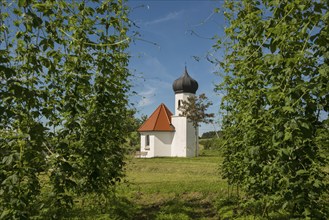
[(172, 33)]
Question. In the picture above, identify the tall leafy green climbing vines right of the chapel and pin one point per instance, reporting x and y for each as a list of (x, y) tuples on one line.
[(277, 104)]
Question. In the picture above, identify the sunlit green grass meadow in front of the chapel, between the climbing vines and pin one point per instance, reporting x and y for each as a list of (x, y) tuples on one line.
[(166, 188)]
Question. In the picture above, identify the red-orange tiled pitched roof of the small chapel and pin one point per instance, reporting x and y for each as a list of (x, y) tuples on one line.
[(160, 120)]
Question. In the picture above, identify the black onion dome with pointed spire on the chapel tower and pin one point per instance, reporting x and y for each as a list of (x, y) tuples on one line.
[(185, 84)]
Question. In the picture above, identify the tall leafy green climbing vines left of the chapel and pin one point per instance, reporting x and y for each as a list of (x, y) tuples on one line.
[(63, 101)]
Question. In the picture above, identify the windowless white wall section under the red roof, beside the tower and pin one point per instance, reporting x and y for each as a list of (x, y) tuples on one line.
[(162, 143)]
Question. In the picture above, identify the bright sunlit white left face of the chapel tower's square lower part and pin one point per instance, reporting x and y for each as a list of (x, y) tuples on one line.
[(179, 144)]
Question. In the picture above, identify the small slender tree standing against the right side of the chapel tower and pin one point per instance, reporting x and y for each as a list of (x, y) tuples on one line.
[(194, 108)]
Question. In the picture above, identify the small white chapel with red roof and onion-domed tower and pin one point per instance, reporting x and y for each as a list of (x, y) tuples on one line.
[(165, 134)]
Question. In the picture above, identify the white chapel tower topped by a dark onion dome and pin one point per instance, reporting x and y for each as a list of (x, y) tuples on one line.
[(184, 144)]
